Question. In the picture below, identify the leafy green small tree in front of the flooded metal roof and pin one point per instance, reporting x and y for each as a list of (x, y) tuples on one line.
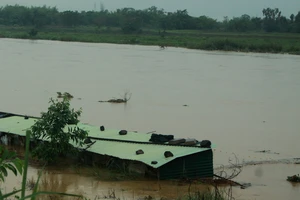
[(51, 128)]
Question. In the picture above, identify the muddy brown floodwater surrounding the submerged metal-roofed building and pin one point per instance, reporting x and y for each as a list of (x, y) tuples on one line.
[(242, 102)]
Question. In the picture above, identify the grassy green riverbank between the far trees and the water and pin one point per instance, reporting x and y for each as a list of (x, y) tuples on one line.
[(191, 39)]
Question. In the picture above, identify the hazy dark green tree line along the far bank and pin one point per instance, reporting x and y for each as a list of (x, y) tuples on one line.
[(131, 20)]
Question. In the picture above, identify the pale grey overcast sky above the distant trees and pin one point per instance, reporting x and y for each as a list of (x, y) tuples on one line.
[(216, 9)]
